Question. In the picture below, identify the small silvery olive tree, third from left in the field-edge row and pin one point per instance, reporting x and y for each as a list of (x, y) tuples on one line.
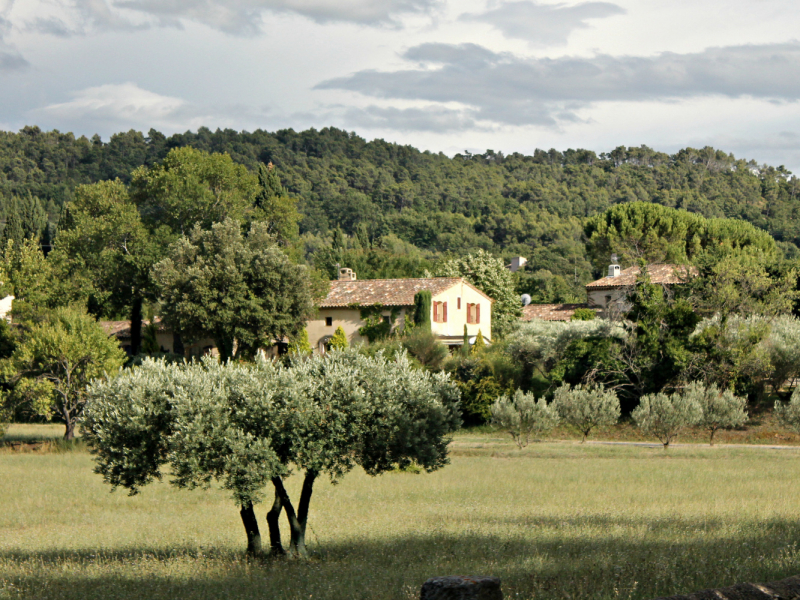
[(665, 416)]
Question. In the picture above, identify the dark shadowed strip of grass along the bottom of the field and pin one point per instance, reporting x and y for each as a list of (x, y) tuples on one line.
[(542, 558)]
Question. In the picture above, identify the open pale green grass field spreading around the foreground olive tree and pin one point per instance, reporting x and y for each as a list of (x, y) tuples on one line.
[(558, 520)]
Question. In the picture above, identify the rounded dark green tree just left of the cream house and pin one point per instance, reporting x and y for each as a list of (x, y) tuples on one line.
[(241, 291)]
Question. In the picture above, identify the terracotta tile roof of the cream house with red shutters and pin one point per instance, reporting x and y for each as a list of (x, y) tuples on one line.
[(388, 292)]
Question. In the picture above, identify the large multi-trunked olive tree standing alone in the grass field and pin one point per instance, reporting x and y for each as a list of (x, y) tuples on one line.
[(249, 425)]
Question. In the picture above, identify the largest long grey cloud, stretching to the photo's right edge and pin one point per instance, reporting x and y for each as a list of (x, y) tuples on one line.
[(508, 89)]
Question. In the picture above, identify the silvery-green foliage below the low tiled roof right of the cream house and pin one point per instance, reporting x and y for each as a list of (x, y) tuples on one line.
[(541, 341)]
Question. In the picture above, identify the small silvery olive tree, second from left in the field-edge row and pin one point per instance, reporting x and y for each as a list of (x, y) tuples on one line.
[(586, 407)]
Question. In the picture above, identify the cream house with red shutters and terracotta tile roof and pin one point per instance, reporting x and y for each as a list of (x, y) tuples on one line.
[(350, 303)]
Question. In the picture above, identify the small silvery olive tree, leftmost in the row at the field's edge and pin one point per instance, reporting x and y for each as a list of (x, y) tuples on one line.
[(523, 416)]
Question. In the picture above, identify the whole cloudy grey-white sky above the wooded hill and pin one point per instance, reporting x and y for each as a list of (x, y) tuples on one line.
[(443, 75)]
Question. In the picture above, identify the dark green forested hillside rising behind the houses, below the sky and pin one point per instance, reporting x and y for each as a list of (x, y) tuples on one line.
[(391, 209)]
